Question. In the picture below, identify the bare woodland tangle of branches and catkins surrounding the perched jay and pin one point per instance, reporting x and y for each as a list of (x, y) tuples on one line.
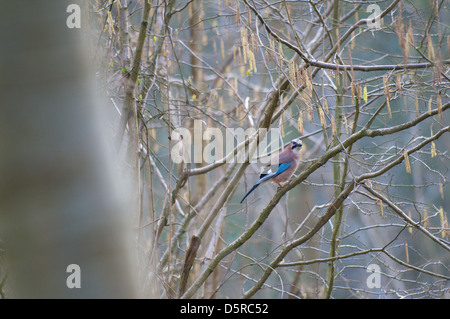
[(370, 105)]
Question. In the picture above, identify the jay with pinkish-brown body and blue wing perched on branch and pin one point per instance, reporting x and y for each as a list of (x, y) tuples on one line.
[(285, 164)]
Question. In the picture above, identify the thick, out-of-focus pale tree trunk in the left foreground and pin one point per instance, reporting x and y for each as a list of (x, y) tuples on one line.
[(58, 201)]
